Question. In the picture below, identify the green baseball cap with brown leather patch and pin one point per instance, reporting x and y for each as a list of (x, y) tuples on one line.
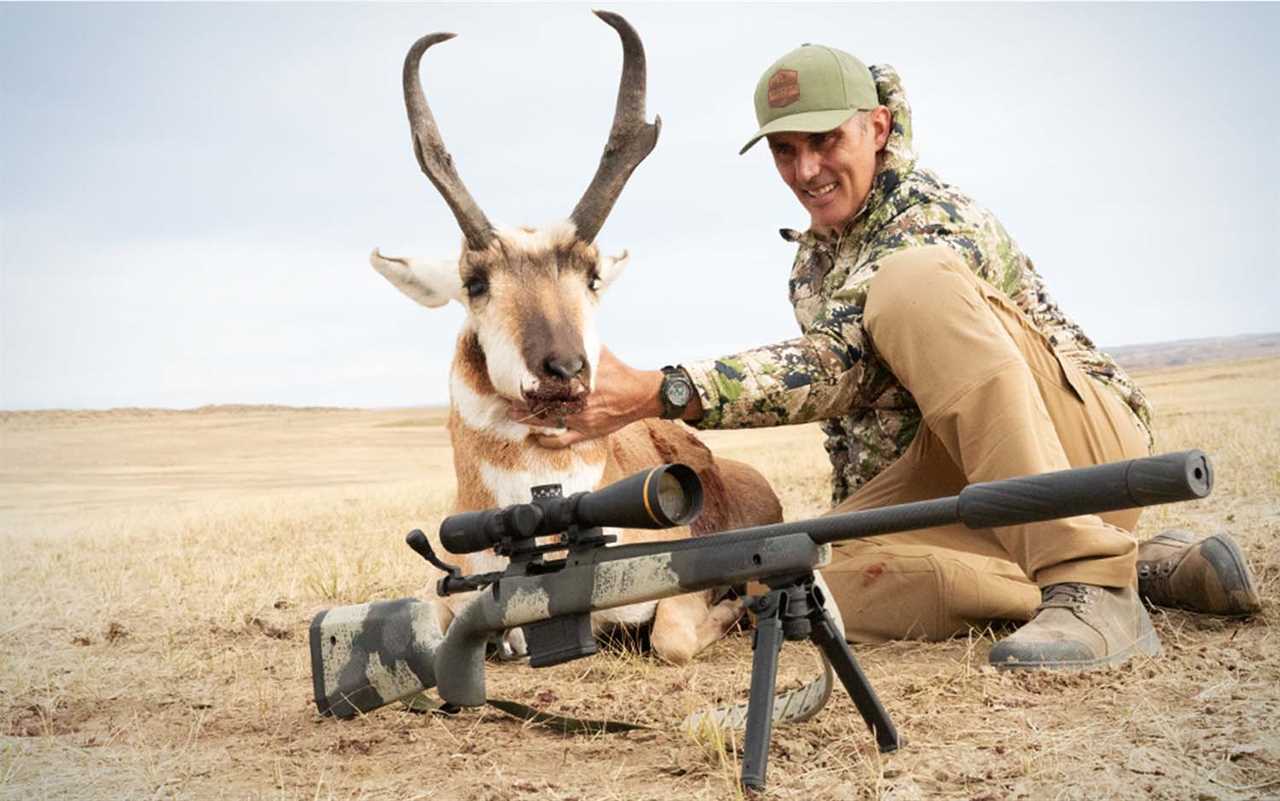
[(813, 89)]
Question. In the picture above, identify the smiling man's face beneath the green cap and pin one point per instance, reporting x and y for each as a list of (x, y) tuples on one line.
[(831, 173)]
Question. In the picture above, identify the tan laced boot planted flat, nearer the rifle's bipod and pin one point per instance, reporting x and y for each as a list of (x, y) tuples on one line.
[(1080, 628)]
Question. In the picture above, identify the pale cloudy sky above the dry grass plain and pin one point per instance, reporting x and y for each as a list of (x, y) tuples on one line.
[(189, 194)]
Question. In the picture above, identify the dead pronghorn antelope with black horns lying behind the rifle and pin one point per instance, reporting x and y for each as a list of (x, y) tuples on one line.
[(531, 337)]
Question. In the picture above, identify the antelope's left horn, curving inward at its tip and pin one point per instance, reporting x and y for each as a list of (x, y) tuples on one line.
[(433, 158)]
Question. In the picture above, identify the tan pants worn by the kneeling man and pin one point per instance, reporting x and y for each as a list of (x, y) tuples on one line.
[(998, 402)]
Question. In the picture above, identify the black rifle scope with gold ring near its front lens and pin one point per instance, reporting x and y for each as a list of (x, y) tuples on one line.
[(660, 498)]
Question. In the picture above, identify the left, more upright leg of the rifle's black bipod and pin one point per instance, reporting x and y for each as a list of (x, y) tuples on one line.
[(766, 644)]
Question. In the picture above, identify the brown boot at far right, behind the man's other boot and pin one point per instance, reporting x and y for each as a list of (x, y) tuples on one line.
[(1204, 575)]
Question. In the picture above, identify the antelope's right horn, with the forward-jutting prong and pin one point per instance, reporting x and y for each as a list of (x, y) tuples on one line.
[(630, 140)]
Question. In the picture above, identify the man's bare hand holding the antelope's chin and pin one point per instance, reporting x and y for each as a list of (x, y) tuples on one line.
[(623, 395)]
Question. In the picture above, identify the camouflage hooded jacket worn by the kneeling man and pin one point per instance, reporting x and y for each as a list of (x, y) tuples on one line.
[(833, 373)]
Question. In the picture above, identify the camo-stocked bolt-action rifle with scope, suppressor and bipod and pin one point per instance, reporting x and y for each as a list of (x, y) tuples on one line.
[(369, 656)]
